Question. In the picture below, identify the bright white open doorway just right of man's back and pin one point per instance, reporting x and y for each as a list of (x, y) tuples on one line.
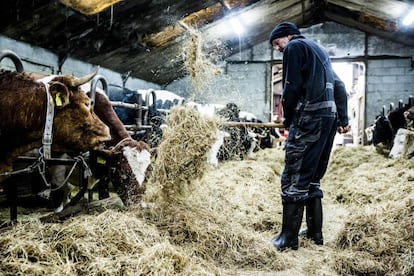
[(353, 75)]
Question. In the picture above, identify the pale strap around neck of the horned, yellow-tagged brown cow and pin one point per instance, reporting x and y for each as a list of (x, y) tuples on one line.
[(50, 113)]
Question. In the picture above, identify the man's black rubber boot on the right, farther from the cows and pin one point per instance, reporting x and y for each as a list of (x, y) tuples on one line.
[(314, 219)]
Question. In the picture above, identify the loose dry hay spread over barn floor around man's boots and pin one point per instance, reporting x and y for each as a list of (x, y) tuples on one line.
[(224, 221)]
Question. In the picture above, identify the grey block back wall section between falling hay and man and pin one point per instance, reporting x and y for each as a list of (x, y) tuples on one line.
[(245, 81)]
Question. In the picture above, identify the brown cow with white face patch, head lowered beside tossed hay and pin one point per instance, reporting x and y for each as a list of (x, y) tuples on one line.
[(123, 162)]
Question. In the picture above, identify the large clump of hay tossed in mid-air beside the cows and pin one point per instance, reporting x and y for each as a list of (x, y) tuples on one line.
[(182, 154)]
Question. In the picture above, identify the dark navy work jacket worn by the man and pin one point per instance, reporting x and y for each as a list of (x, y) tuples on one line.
[(306, 71)]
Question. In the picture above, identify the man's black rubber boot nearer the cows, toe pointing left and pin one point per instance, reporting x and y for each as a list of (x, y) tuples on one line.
[(291, 221)]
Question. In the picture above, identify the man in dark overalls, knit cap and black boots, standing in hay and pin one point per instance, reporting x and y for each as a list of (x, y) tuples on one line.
[(314, 104)]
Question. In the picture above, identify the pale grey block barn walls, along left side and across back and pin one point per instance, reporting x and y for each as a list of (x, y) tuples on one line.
[(246, 74)]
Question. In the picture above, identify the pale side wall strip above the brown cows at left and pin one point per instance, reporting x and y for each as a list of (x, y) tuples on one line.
[(37, 59)]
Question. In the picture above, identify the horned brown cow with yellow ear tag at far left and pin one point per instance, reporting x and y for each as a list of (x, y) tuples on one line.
[(23, 104)]
